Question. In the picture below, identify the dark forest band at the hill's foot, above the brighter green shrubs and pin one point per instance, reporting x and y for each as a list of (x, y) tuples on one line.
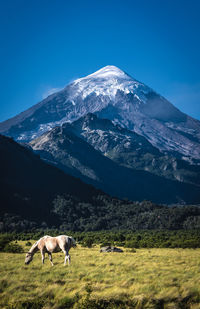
[(106, 213)]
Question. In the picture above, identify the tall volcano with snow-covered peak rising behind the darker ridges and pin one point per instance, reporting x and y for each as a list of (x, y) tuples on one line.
[(114, 95)]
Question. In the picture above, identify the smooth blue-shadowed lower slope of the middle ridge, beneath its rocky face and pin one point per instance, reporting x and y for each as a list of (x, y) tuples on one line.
[(61, 146)]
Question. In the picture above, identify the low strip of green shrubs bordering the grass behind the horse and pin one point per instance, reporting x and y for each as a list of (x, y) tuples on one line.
[(128, 239)]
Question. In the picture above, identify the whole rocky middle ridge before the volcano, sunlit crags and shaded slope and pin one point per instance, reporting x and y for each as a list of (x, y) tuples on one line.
[(68, 149)]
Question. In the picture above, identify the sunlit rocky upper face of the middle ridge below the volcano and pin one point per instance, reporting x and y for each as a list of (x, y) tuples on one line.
[(129, 149)]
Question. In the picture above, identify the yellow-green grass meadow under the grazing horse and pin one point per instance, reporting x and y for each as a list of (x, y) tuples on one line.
[(148, 278)]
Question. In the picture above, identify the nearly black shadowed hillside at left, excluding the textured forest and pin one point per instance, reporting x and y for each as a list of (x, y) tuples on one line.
[(29, 185)]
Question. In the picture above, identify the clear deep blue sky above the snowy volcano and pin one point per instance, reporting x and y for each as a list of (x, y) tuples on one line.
[(45, 44)]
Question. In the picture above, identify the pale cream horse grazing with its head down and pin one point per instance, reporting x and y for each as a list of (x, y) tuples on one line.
[(48, 244)]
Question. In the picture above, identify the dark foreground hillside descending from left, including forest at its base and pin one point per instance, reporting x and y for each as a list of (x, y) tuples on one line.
[(33, 191)]
